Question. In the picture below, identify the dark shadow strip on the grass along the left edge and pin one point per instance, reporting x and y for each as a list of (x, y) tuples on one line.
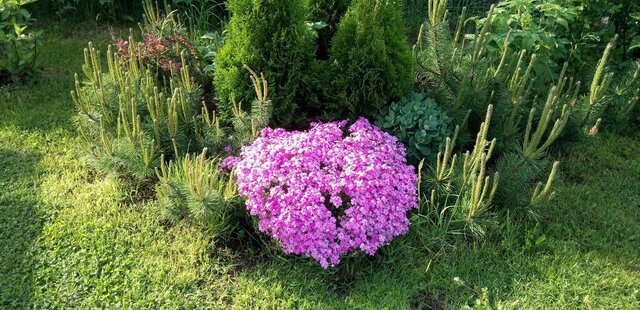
[(20, 225)]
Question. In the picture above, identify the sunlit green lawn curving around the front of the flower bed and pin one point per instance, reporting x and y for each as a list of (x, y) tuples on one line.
[(71, 238)]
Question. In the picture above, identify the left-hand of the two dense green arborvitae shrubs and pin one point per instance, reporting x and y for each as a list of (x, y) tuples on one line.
[(271, 37)]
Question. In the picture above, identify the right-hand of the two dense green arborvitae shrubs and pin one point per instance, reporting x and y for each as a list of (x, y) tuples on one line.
[(372, 55)]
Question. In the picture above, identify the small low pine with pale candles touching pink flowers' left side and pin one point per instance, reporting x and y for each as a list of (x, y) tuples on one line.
[(195, 188)]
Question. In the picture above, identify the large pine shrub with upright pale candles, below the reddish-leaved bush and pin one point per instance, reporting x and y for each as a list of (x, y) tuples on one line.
[(128, 118)]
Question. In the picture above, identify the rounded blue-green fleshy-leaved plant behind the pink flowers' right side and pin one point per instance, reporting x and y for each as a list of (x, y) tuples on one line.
[(419, 123)]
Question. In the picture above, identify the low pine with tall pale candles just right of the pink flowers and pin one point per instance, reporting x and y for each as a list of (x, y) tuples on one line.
[(457, 193)]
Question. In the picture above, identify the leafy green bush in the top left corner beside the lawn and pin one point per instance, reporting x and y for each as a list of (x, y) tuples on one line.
[(18, 47)]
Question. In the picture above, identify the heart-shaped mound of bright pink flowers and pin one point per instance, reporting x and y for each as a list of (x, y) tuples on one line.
[(328, 191)]
